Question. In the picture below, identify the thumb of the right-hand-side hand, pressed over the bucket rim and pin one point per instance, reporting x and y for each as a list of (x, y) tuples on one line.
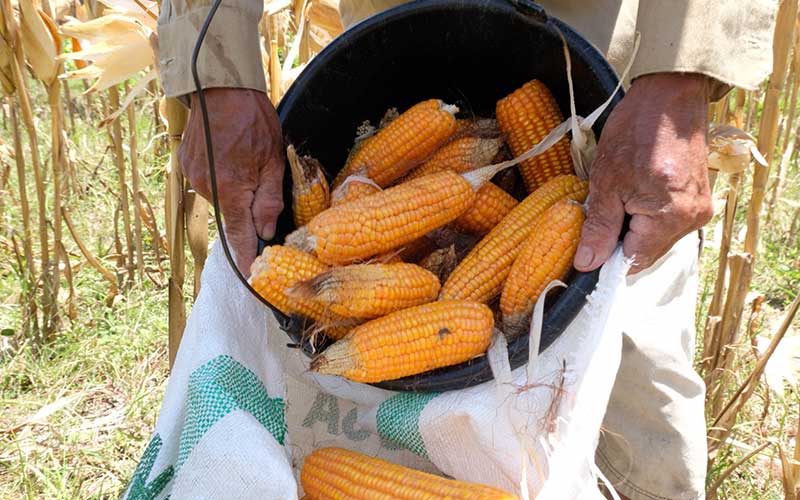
[(600, 231)]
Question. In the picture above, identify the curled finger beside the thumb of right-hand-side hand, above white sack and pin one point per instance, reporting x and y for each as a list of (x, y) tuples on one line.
[(646, 241)]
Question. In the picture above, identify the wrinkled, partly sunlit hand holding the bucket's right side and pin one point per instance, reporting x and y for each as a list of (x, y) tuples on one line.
[(651, 164)]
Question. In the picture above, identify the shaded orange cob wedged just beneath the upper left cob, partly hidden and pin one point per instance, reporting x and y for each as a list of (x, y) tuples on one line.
[(460, 155)]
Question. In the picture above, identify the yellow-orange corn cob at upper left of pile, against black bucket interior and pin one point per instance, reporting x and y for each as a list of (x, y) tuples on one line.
[(403, 144)]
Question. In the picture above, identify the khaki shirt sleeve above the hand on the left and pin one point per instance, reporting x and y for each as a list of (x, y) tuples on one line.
[(230, 56)]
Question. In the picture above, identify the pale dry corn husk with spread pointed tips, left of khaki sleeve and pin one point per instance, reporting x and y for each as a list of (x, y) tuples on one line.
[(119, 48)]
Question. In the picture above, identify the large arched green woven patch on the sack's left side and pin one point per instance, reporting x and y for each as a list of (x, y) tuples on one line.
[(219, 387)]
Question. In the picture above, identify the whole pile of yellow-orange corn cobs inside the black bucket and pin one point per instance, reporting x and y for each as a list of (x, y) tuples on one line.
[(413, 256)]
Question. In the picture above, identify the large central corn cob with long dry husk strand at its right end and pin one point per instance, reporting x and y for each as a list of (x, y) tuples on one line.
[(387, 220)]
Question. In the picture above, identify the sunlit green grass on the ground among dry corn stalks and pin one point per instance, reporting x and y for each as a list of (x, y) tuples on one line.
[(106, 369)]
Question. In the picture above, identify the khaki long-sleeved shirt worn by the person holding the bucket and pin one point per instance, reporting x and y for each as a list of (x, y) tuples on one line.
[(729, 40)]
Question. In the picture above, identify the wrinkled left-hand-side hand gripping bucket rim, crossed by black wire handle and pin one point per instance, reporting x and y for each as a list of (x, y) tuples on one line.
[(248, 153)]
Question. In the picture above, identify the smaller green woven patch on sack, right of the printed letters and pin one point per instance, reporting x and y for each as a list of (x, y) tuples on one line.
[(398, 420)]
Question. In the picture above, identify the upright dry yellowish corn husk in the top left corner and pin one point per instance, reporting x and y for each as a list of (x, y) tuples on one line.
[(41, 41)]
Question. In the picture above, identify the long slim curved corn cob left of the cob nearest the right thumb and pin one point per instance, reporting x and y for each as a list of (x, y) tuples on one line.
[(481, 274)]
